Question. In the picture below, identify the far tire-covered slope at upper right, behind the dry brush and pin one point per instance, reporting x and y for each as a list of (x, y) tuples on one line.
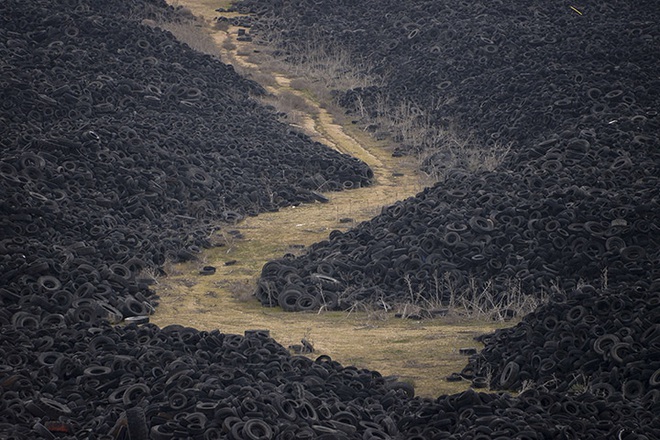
[(506, 71)]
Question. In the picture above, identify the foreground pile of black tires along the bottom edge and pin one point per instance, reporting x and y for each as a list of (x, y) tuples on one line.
[(95, 381)]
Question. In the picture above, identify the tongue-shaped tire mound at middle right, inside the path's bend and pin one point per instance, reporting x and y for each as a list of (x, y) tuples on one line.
[(476, 234)]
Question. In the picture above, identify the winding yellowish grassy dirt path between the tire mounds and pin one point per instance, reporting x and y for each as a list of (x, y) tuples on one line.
[(420, 352)]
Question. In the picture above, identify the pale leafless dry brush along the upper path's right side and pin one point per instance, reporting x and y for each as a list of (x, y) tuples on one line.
[(320, 68)]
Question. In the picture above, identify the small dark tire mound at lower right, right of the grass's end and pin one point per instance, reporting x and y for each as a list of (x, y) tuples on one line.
[(607, 341)]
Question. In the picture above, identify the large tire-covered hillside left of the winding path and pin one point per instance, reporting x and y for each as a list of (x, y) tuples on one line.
[(123, 148)]
